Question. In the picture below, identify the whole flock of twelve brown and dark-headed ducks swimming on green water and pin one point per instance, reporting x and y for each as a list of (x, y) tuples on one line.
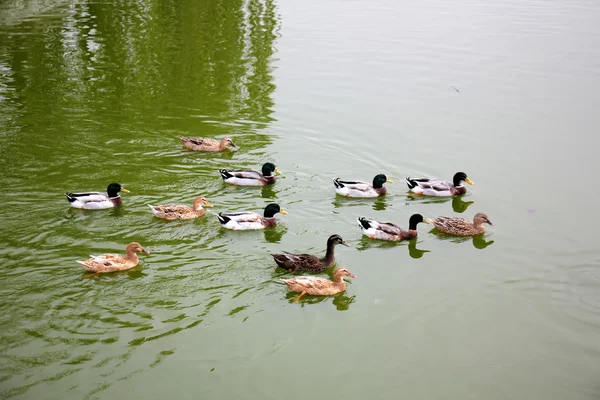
[(250, 220)]
